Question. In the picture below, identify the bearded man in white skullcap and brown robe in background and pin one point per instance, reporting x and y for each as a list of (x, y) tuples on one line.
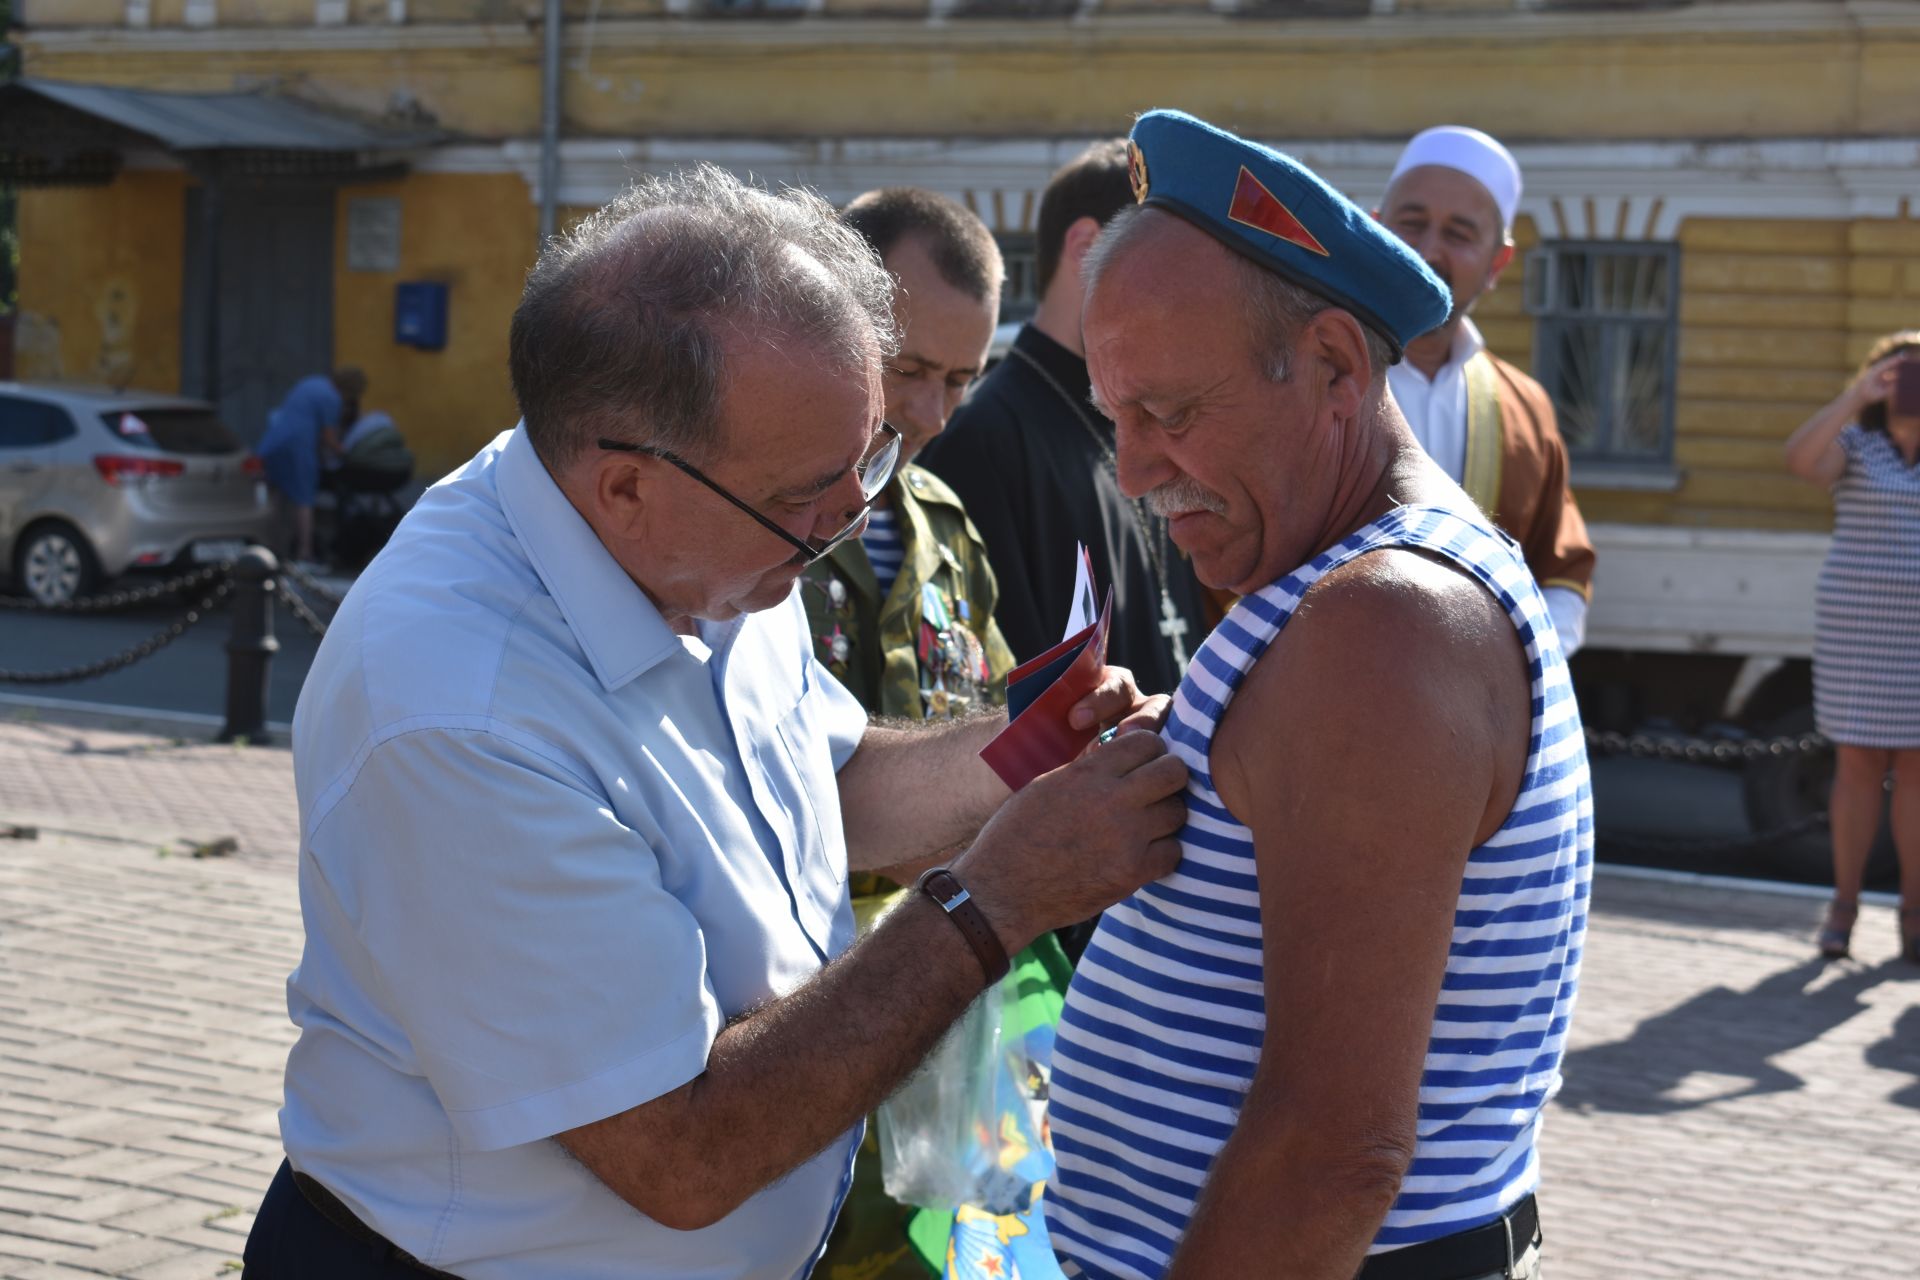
[(1491, 427)]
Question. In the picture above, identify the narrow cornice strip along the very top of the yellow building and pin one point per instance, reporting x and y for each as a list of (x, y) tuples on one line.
[(1166, 34)]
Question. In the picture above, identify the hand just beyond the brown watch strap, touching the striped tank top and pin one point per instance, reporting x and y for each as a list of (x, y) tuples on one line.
[(1080, 840)]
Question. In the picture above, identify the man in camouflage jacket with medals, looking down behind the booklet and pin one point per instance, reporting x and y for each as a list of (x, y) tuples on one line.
[(903, 615)]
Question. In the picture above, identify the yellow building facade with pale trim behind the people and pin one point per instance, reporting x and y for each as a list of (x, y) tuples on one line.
[(1765, 153)]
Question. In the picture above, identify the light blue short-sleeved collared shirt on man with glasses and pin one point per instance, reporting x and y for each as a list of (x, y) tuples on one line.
[(550, 849)]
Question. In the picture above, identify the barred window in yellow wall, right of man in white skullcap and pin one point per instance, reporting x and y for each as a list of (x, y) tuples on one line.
[(1606, 344)]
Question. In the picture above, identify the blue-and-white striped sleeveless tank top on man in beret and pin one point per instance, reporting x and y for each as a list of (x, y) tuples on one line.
[(1166, 1016)]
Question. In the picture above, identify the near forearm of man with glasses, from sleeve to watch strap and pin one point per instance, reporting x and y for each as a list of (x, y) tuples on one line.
[(788, 1079)]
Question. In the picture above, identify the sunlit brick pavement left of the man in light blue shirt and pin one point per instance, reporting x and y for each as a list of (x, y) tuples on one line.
[(143, 1016)]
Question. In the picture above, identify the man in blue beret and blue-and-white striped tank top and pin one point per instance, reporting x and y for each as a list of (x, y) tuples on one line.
[(1320, 1047)]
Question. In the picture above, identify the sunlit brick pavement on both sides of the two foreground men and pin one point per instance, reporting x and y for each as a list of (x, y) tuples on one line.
[(1731, 1112)]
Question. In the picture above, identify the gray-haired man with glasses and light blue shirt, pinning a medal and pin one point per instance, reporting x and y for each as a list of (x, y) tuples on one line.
[(581, 993)]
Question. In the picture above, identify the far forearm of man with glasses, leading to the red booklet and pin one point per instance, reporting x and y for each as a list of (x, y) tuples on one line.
[(915, 792)]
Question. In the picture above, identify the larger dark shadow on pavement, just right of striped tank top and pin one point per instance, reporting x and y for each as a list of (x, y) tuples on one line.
[(1719, 1045)]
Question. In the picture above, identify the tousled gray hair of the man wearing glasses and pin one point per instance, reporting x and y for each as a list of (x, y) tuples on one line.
[(625, 320)]
